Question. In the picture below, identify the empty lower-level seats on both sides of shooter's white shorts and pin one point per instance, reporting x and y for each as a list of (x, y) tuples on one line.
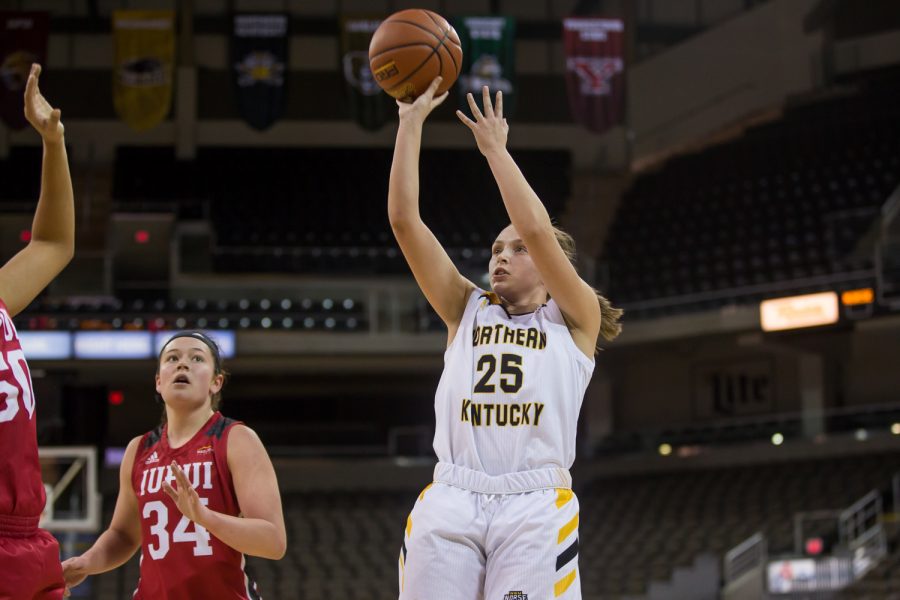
[(633, 530)]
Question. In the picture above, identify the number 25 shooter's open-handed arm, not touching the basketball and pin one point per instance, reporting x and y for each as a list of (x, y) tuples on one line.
[(577, 301)]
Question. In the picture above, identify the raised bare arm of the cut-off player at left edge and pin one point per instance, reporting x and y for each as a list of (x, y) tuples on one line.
[(52, 242)]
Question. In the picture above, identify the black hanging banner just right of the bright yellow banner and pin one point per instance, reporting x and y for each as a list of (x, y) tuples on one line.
[(259, 55)]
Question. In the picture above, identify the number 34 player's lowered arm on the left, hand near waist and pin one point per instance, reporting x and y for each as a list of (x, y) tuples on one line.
[(123, 537)]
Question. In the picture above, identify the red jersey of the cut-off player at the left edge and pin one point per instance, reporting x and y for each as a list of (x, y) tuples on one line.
[(21, 490)]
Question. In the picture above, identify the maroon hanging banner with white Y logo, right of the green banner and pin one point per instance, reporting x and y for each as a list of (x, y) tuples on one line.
[(595, 71)]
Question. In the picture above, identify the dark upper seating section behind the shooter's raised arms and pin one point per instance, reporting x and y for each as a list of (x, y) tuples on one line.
[(324, 210)]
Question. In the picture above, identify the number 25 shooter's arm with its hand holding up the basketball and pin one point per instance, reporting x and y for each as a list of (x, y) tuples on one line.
[(443, 285)]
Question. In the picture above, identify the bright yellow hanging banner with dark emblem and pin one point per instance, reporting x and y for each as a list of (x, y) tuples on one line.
[(144, 64)]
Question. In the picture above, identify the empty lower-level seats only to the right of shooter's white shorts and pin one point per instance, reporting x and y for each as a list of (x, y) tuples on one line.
[(638, 529)]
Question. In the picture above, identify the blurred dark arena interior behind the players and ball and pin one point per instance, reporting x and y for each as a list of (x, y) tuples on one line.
[(729, 169)]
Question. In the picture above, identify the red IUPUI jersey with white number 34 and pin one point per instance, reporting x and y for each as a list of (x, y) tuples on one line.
[(180, 560)]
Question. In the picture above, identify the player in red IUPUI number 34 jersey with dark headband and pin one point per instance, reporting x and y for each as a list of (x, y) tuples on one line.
[(195, 494)]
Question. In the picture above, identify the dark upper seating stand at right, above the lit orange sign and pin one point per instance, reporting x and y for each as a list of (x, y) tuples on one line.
[(786, 202)]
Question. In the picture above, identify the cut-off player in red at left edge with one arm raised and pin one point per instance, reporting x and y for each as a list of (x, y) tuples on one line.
[(29, 557)]
